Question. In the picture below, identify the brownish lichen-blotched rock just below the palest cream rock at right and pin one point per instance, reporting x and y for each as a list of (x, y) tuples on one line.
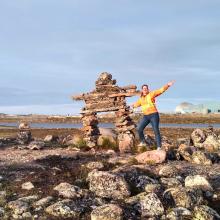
[(185, 197)]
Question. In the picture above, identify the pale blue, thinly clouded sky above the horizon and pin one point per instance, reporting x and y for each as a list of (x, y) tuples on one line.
[(50, 50)]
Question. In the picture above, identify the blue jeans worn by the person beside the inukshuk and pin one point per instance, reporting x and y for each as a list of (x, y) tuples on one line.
[(154, 119)]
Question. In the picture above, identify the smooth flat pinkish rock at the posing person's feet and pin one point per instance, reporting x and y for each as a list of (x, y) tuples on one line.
[(151, 157)]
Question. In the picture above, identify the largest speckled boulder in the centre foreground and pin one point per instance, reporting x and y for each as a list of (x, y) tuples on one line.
[(108, 185)]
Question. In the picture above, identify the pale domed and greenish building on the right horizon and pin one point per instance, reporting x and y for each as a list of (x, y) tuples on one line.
[(205, 108)]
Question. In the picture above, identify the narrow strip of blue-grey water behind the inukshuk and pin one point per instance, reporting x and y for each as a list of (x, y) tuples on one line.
[(103, 125)]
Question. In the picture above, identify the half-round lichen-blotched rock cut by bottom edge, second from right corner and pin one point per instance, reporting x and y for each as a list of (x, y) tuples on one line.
[(179, 213)]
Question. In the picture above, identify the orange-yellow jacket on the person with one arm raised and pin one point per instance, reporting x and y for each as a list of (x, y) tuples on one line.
[(147, 102)]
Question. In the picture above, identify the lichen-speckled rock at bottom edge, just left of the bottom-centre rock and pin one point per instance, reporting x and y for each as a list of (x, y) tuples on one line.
[(65, 209)]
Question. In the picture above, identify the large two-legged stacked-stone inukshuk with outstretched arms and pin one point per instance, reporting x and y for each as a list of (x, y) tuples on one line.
[(108, 97)]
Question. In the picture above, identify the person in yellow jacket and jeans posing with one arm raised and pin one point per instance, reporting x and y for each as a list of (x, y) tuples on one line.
[(151, 115)]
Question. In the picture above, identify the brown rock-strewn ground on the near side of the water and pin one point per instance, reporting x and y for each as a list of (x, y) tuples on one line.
[(58, 177)]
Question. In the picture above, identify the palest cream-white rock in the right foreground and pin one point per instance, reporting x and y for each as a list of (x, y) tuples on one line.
[(198, 181)]
